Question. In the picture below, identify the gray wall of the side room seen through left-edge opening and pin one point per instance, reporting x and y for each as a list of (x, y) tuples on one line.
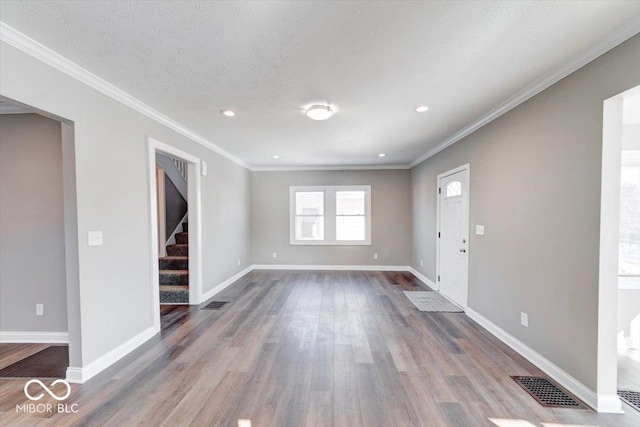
[(32, 245)]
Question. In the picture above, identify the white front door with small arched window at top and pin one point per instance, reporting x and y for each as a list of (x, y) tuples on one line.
[(453, 247)]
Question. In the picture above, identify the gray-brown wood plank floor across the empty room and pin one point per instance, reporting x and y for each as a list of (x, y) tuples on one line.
[(295, 348)]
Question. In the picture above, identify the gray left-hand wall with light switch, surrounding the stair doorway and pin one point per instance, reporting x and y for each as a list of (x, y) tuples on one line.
[(111, 155)]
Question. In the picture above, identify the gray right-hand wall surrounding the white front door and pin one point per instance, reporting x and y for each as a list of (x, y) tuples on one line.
[(535, 185)]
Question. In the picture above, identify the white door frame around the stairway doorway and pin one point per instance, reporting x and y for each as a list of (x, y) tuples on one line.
[(194, 202)]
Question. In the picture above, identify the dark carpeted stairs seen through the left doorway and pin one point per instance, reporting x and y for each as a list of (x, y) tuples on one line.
[(174, 270)]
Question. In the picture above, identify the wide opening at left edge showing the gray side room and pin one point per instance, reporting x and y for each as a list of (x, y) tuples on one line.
[(39, 287)]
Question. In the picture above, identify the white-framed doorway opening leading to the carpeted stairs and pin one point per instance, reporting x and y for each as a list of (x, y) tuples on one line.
[(175, 200)]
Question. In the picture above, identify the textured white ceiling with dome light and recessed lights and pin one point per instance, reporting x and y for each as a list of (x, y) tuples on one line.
[(266, 60)]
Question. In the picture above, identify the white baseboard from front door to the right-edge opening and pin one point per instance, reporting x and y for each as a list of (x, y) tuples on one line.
[(603, 404)]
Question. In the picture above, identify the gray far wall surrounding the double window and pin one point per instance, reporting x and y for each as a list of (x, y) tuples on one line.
[(390, 226)]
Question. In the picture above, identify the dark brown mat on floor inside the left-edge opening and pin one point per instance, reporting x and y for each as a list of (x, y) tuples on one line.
[(52, 362)]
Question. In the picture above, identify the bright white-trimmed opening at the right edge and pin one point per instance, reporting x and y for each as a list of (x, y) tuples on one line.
[(619, 282)]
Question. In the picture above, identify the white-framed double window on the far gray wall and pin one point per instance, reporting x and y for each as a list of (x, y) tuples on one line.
[(330, 215)]
